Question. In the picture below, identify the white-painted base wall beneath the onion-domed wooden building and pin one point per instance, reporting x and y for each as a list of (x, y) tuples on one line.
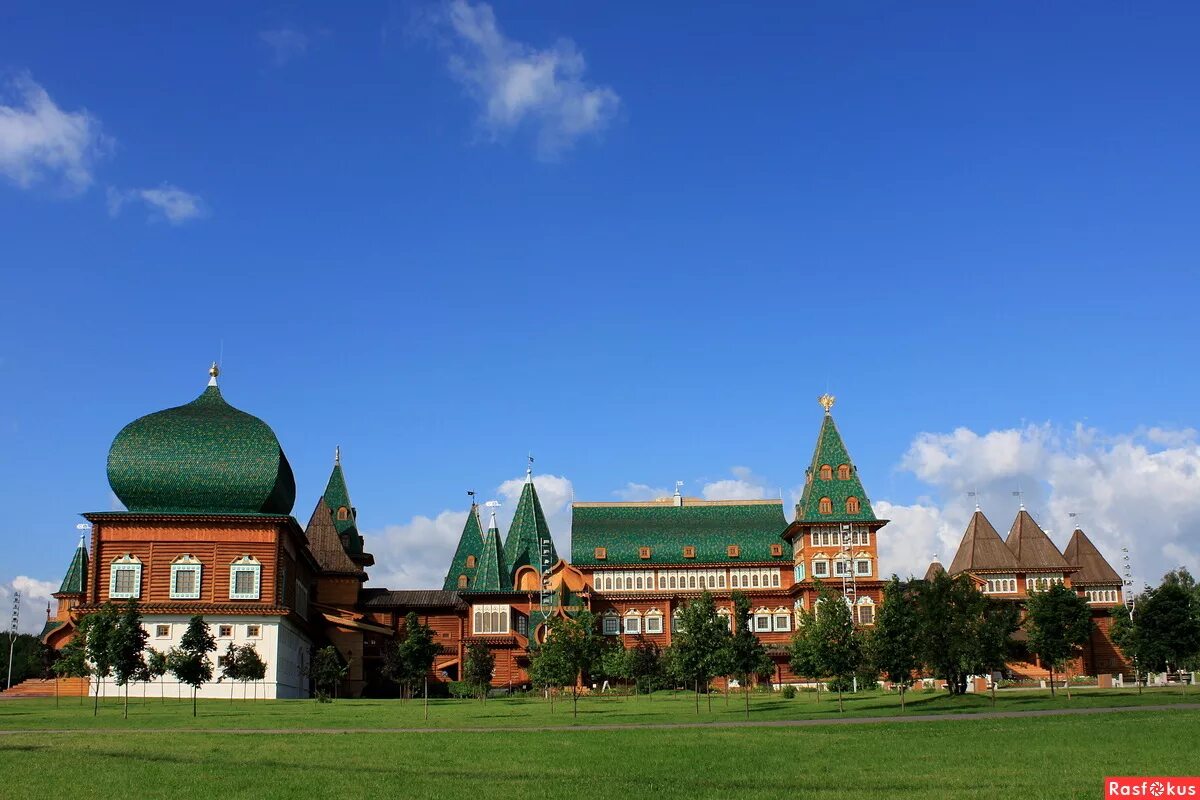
[(284, 647)]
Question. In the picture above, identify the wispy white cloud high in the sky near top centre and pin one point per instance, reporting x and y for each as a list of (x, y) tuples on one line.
[(518, 85)]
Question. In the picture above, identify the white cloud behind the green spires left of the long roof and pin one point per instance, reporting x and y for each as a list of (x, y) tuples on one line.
[(417, 555)]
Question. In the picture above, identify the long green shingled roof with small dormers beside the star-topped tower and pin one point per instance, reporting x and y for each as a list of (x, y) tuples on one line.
[(622, 530)]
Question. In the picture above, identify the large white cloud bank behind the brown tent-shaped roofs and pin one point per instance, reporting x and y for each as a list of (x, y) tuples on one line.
[(1130, 491)]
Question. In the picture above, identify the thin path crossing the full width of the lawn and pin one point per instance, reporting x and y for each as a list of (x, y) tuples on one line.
[(633, 726)]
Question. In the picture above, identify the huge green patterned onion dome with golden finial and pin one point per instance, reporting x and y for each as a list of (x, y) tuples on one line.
[(205, 458)]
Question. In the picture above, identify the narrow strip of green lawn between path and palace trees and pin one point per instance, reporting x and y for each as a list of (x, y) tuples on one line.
[(523, 713)]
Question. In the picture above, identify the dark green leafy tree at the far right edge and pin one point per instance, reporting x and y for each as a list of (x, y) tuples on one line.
[(1168, 628)]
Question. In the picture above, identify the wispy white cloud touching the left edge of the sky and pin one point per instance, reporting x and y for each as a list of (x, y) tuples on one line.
[(40, 142)]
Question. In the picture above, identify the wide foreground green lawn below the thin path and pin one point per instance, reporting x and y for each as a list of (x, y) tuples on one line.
[(1019, 759)]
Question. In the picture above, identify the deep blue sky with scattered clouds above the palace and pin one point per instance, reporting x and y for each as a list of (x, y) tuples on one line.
[(638, 242)]
